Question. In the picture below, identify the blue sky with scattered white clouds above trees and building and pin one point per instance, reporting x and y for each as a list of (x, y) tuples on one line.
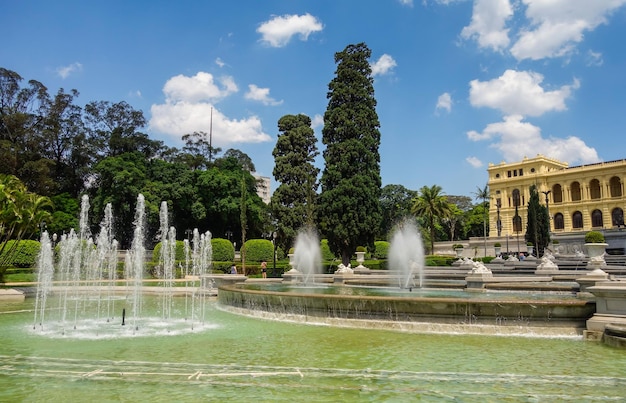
[(459, 84)]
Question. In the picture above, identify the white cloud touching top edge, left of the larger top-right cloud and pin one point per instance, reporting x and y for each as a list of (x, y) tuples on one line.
[(488, 23)]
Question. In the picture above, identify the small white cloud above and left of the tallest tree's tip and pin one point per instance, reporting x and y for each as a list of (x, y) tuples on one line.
[(278, 31)]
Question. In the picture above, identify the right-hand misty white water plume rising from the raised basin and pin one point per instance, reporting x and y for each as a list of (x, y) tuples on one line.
[(406, 254)]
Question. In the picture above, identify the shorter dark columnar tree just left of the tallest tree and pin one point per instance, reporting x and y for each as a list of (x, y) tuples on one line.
[(294, 201)]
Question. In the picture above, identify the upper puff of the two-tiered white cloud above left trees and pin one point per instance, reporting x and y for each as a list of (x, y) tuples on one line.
[(201, 87)]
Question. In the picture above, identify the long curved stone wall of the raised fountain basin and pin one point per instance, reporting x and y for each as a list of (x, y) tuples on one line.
[(527, 314)]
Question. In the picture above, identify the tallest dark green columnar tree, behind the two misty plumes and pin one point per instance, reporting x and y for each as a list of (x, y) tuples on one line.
[(349, 208)]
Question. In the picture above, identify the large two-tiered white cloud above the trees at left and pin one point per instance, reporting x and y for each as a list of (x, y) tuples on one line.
[(189, 104)]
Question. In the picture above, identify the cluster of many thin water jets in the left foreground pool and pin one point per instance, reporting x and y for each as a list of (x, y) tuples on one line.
[(83, 298)]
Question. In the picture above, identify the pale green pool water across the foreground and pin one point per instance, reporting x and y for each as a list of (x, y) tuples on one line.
[(243, 359)]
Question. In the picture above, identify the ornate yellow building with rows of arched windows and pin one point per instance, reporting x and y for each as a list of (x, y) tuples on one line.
[(579, 198)]
